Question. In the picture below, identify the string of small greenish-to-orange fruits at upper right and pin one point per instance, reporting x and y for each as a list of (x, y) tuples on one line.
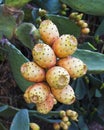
[(78, 20)]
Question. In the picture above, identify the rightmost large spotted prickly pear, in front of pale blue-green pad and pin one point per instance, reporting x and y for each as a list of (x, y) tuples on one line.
[(75, 67)]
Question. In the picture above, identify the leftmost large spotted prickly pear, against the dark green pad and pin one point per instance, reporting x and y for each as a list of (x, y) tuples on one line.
[(32, 72)]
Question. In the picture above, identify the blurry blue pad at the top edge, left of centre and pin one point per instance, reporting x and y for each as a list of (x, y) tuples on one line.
[(52, 6)]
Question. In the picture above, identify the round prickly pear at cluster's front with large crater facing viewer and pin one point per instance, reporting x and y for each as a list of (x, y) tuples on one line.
[(57, 77)]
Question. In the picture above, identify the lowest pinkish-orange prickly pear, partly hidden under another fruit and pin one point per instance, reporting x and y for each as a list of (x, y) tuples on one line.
[(47, 105)]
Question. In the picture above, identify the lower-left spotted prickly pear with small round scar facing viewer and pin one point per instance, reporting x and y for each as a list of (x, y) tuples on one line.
[(37, 93)]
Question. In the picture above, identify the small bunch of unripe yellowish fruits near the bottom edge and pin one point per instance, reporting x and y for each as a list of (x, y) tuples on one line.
[(65, 123)]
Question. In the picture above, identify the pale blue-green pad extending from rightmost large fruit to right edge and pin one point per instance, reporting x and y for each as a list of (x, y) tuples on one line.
[(93, 60)]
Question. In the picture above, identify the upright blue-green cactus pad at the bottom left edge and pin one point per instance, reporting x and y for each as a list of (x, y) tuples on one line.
[(20, 121)]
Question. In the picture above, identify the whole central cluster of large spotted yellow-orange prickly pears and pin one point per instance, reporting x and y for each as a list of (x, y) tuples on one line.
[(51, 69)]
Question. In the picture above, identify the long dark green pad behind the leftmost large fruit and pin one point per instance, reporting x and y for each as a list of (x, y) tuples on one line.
[(16, 59)]
